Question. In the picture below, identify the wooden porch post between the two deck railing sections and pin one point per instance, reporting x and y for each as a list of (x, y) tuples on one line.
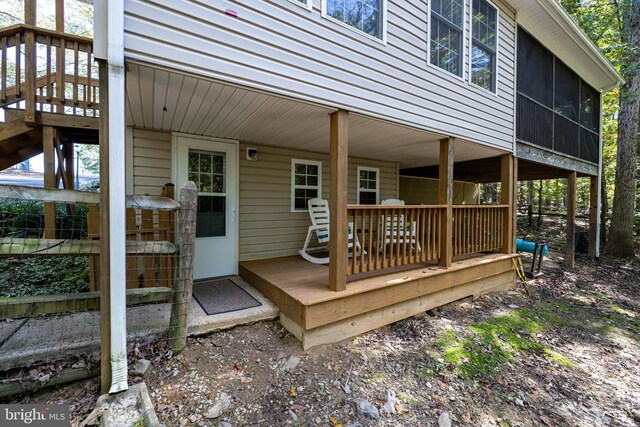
[(445, 197)]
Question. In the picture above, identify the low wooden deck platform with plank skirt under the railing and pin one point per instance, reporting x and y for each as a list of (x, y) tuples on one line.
[(317, 315)]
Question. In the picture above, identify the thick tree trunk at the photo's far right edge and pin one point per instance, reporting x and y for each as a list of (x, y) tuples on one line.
[(621, 233)]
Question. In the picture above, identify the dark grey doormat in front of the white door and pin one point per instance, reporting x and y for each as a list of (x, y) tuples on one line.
[(222, 296)]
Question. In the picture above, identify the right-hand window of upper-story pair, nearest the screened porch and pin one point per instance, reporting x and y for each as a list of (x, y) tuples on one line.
[(484, 42)]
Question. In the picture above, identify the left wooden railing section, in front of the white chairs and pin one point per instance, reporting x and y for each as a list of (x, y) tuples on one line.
[(391, 236)]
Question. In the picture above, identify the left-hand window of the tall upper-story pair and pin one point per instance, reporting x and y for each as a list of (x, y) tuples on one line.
[(446, 35)]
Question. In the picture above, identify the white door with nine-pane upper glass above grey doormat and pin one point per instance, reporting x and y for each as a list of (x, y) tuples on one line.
[(212, 164)]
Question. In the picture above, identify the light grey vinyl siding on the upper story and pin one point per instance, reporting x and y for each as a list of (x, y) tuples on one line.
[(280, 47)]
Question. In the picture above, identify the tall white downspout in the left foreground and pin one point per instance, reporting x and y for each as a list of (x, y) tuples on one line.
[(117, 192)]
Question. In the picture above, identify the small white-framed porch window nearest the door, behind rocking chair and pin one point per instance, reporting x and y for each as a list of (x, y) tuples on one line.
[(306, 183)]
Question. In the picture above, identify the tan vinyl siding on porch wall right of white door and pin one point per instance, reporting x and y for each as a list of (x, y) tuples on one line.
[(268, 228)]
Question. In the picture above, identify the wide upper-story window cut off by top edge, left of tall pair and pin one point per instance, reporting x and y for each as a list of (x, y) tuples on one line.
[(364, 15)]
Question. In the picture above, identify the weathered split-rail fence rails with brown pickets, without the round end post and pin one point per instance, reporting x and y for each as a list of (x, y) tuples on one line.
[(162, 253)]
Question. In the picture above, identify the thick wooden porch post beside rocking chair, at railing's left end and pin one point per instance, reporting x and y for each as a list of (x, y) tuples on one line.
[(338, 243)]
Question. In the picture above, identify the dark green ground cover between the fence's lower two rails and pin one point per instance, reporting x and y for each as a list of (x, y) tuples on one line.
[(43, 276)]
